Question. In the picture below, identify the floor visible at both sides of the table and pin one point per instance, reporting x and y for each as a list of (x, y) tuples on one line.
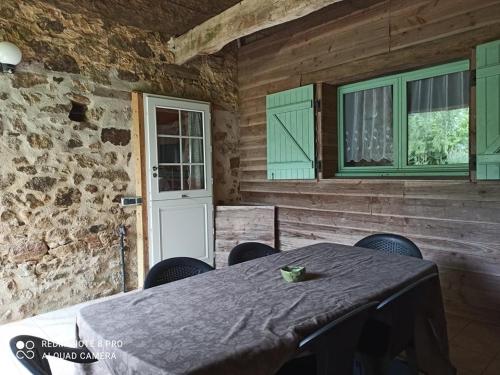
[(475, 346)]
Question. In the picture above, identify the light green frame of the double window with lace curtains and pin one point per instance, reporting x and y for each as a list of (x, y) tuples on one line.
[(400, 125)]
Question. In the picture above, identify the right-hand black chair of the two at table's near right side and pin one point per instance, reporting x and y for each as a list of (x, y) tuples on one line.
[(391, 331)]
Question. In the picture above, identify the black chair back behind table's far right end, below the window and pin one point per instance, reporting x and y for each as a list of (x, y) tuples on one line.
[(390, 243)]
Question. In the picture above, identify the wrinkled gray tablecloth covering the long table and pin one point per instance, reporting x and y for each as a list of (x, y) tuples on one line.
[(243, 319)]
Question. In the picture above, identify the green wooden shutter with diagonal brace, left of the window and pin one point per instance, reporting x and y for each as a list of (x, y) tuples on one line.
[(290, 134)]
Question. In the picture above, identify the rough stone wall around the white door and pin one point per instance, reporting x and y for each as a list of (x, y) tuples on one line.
[(61, 180)]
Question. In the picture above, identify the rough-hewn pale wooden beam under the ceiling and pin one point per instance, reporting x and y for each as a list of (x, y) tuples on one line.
[(242, 19)]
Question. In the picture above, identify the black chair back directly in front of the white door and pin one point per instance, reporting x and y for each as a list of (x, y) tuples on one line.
[(174, 269)]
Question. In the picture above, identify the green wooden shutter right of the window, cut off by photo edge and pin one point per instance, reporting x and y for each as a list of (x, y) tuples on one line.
[(488, 111)]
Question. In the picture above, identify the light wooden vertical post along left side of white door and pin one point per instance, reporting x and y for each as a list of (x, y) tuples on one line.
[(138, 151)]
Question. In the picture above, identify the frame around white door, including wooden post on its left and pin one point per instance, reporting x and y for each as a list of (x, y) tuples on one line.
[(139, 155)]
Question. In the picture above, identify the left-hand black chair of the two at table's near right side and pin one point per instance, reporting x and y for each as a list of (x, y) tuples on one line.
[(334, 344)]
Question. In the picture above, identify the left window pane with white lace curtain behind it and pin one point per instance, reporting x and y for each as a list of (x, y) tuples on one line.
[(368, 127)]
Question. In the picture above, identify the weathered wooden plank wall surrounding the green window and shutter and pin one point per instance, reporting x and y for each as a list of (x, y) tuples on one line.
[(455, 222)]
